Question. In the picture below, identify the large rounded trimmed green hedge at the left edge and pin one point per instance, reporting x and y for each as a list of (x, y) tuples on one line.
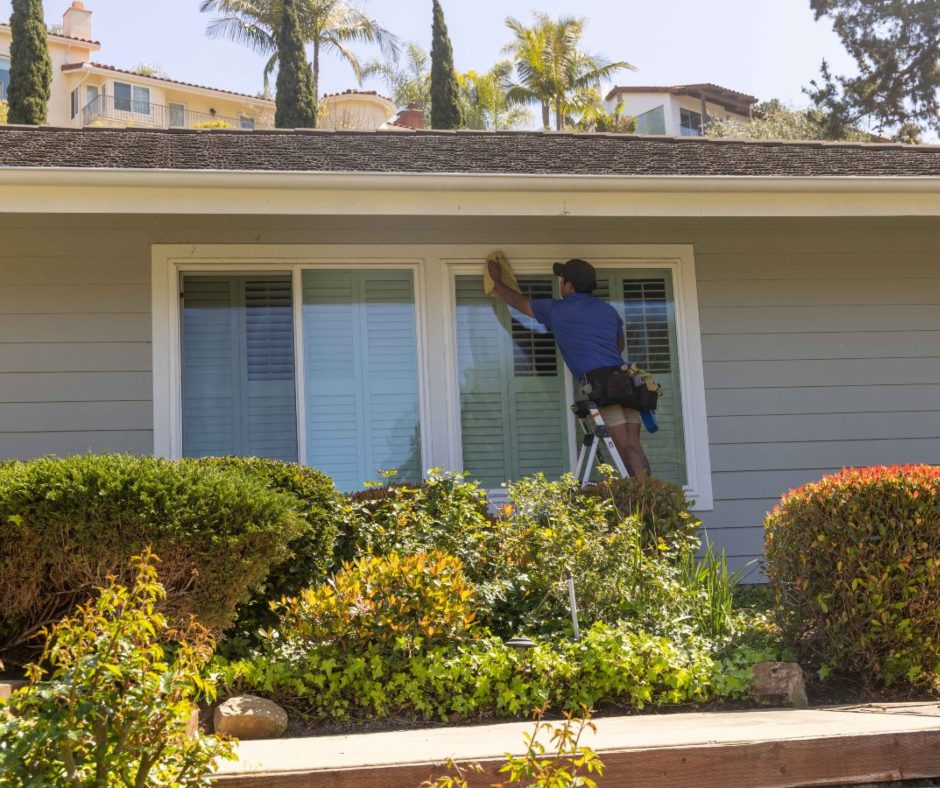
[(67, 524)]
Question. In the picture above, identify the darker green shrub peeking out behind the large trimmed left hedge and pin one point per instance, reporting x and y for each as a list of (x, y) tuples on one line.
[(310, 553)]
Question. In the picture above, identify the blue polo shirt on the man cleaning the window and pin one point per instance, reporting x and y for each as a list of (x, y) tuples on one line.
[(585, 328)]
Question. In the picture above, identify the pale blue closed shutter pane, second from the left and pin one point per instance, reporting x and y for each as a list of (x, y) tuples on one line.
[(361, 371)]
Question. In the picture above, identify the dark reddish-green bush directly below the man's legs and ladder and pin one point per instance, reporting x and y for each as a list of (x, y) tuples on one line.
[(661, 507)]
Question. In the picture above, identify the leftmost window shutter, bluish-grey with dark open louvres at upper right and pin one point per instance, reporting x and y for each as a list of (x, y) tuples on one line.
[(238, 367)]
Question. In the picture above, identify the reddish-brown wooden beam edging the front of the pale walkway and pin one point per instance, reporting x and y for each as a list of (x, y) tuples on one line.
[(803, 762)]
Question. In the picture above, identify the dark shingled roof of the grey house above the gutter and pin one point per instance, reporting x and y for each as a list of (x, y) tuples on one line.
[(478, 153)]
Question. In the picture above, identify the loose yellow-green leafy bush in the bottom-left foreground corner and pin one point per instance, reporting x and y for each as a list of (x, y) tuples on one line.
[(118, 703)]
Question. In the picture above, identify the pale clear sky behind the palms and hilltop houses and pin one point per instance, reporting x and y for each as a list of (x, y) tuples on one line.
[(767, 48)]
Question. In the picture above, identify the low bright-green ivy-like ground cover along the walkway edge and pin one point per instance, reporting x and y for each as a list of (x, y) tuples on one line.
[(485, 677)]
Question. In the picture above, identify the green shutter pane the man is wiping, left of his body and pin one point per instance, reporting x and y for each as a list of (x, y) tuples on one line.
[(512, 406)]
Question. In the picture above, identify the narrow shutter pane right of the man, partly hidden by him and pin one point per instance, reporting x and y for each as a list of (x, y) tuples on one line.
[(644, 299)]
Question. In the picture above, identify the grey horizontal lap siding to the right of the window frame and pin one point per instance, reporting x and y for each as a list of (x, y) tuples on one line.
[(816, 358)]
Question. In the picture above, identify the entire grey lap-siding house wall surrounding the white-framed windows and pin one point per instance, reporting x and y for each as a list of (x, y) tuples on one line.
[(821, 337)]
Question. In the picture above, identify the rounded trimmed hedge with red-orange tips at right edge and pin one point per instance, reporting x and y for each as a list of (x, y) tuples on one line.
[(854, 561)]
